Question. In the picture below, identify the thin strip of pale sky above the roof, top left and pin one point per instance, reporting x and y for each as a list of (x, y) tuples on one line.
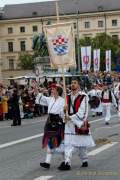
[(4, 2)]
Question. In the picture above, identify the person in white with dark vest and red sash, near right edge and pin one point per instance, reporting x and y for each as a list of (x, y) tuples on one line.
[(107, 98)]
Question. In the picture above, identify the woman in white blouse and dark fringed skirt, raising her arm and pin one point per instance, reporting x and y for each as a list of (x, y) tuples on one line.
[(54, 127)]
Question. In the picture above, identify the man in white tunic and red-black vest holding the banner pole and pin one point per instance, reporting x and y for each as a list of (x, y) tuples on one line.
[(77, 132)]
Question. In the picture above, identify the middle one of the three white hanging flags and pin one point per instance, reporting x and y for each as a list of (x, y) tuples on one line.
[(96, 59)]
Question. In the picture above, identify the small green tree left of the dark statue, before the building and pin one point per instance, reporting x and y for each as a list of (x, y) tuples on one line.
[(26, 60)]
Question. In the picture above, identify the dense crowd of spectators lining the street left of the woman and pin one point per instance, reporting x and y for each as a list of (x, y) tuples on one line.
[(23, 97)]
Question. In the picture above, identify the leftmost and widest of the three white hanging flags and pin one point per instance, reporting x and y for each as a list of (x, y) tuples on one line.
[(86, 58)]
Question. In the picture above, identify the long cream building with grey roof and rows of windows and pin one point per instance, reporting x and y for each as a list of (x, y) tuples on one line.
[(19, 23)]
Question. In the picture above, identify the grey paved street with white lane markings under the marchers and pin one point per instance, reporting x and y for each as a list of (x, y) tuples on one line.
[(21, 152)]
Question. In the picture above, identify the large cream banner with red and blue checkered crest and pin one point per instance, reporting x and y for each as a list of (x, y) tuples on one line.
[(61, 44)]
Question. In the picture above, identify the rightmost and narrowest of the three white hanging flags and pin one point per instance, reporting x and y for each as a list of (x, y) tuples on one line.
[(108, 60)]
